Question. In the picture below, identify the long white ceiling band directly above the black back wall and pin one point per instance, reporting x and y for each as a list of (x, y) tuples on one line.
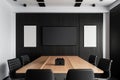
[(62, 9)]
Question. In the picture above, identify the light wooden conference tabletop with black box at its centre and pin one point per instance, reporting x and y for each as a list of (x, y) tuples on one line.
[(48, 62)]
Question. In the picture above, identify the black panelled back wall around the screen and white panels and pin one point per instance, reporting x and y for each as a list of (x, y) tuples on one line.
[(58, 20)]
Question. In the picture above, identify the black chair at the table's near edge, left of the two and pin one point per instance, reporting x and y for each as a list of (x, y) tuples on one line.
[(39, 74)]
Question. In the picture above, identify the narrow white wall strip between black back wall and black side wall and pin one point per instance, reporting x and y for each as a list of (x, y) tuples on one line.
[(106, 35)]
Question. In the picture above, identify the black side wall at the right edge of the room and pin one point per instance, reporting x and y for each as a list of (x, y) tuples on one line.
[(114, 40)]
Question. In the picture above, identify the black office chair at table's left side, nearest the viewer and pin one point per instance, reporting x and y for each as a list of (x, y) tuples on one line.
[(13, 65)]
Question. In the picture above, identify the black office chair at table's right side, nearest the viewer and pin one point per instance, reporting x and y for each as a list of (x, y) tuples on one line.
[(105, 65)]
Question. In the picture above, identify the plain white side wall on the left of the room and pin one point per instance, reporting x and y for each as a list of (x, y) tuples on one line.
[(6, 36)]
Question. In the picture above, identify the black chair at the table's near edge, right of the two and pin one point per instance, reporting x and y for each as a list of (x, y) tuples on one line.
[(80, 74)]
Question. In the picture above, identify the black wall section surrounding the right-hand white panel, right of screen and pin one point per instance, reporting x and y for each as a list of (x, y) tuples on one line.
[(91, 19)]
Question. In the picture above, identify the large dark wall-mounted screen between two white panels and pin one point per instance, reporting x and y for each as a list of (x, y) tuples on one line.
[(59, 35)]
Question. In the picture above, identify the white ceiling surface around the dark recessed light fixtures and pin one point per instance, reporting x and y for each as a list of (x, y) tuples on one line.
[(61, 3)]
